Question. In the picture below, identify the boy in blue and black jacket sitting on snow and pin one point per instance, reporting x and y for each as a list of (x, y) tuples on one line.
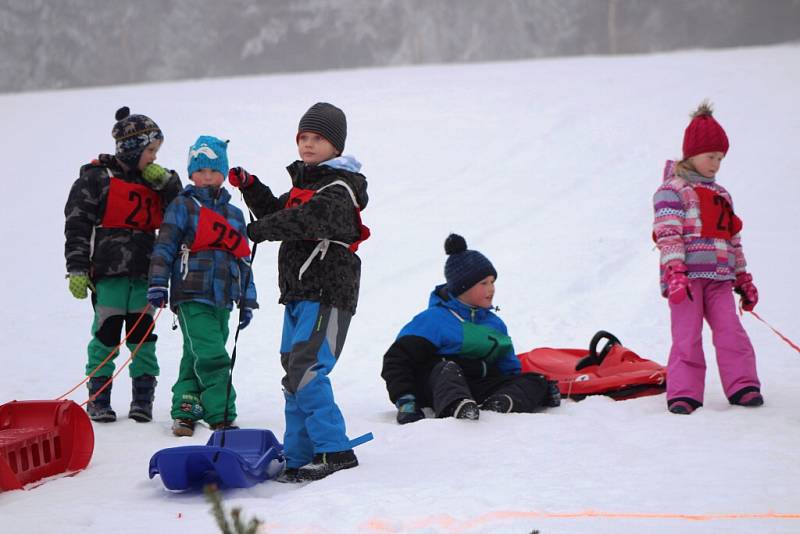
[(456, 356)]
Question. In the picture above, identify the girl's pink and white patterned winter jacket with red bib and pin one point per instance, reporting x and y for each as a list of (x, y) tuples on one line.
[(695, 223)]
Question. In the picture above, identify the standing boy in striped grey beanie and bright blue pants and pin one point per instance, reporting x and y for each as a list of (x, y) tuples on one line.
[(319, 226)]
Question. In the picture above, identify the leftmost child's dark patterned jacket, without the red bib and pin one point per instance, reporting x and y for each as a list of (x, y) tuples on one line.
[(99, 251)]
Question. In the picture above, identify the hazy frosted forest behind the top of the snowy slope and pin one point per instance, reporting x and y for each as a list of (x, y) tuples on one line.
[(51, 44)]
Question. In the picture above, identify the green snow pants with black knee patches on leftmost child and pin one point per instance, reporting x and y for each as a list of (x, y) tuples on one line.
[(120, 300)]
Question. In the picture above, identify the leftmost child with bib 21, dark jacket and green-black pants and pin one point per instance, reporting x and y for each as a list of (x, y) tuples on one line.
[(112, 214)]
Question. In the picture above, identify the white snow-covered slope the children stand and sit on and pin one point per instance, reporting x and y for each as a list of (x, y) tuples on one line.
[(547, 167)]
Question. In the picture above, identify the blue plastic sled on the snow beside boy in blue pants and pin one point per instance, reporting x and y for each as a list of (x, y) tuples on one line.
[(250, 456)]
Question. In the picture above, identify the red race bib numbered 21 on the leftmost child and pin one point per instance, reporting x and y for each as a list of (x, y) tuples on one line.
[(132, 206)]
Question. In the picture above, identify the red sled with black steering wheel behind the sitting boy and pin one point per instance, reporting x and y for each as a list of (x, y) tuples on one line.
[(615, 371)]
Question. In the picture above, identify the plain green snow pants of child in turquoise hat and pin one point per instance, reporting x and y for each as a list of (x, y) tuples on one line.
[(199, 392)]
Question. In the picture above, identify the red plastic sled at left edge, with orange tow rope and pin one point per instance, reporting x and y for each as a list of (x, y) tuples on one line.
[(40, 439)]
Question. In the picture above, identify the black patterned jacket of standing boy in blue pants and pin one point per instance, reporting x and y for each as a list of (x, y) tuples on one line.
[(305, 272)]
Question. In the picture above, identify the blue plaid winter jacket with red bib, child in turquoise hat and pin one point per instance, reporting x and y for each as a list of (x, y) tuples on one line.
[(214, 274)]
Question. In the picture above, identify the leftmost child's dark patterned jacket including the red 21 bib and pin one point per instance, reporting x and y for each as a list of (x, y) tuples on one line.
[(106, 242)]
